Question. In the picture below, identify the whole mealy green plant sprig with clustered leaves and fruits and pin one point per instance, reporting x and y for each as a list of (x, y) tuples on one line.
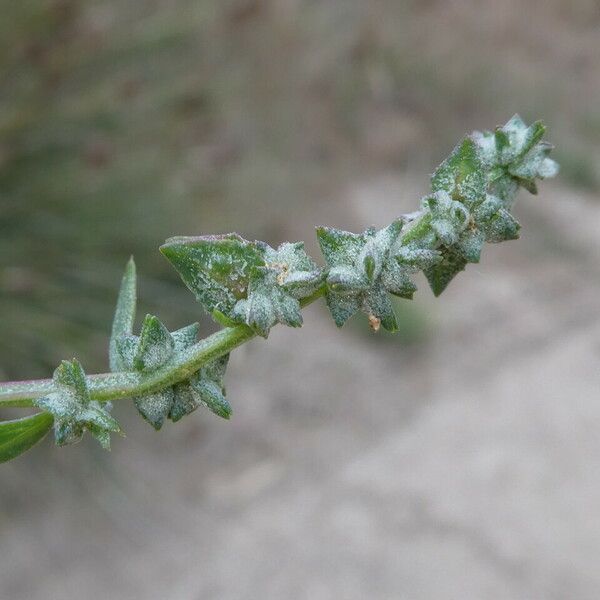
[(249, 287)]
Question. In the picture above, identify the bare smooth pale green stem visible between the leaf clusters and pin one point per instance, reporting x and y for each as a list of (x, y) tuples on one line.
[(118, 386)]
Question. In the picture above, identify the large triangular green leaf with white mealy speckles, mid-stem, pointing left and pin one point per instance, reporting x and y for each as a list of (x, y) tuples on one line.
[(215, 268)]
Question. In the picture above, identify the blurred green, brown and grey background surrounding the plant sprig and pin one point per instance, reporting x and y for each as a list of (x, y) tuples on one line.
[(458, 459)]
